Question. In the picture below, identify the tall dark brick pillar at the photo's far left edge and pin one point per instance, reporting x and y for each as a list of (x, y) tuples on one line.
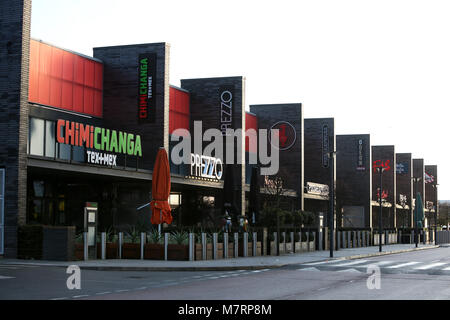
[(15, 17)]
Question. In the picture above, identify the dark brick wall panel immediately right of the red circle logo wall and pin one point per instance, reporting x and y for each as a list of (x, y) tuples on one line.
[(316, 160)]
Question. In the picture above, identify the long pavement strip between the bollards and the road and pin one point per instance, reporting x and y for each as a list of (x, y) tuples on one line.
[(241, 263)]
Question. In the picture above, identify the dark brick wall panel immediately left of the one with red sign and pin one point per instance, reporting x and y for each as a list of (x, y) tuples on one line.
[(353, 172)]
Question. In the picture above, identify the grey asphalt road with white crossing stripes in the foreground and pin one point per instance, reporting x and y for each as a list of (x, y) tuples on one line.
[(414, 275)]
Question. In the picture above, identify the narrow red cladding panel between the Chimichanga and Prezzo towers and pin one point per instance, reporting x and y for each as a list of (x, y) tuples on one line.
[(179, 112)]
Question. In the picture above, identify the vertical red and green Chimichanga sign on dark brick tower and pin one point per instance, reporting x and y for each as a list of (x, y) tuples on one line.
[(147, 85)]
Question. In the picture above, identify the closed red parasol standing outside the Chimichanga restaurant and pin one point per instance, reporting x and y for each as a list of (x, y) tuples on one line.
[(161, 190)]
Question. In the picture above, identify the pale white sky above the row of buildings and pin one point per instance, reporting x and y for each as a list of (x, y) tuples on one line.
[(378, 67)]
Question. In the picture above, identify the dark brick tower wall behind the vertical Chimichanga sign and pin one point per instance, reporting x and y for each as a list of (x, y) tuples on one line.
[(120, 95)]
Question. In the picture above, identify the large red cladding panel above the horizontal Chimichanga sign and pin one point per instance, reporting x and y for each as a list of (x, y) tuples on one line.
[(66, 80)]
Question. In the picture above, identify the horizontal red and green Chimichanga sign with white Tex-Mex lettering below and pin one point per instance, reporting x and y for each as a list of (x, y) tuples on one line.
[(99, 139)]
